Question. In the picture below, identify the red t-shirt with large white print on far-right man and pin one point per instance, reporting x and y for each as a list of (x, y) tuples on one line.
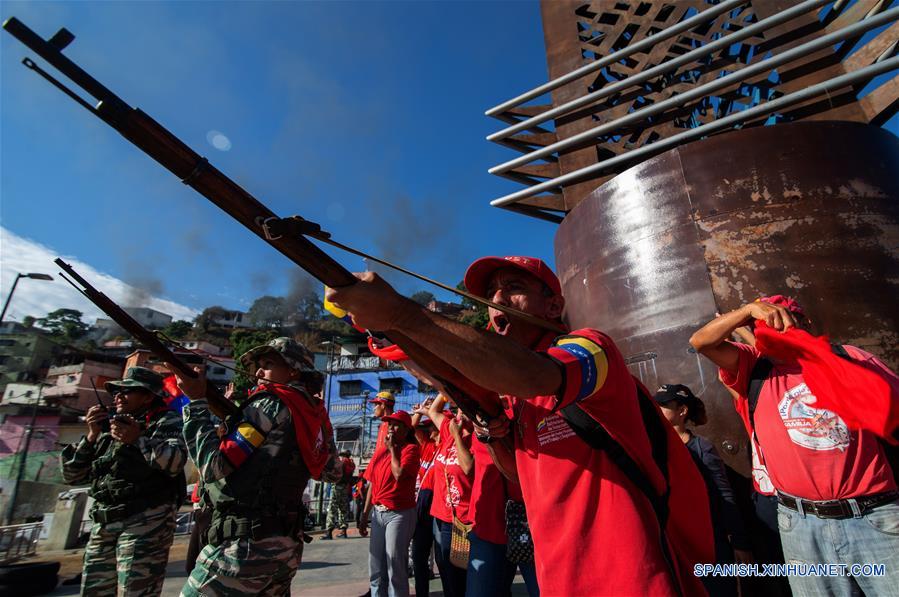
[(809, 452)]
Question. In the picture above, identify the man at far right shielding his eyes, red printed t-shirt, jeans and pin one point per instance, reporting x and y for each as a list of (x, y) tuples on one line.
[(838, 500)]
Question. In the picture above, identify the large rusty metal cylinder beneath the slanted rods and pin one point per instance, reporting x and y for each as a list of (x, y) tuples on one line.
[(809, 209)]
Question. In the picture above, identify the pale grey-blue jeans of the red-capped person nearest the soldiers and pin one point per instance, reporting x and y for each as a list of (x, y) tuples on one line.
[(388, 552)]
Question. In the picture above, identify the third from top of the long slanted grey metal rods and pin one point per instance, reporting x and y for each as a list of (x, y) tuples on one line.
[(697, 92)]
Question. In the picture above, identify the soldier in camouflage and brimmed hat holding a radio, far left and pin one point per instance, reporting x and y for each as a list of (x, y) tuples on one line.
[(135, 466)]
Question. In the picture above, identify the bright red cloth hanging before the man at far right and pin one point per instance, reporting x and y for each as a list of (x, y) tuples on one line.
[(854, 390)]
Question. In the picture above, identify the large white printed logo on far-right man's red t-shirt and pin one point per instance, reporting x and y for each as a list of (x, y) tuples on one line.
[(810, 427)]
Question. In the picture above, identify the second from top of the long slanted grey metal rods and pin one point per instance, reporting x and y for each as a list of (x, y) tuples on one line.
[(655, 71)]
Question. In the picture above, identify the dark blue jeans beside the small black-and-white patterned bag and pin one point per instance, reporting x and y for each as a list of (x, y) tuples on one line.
[(490, 574)]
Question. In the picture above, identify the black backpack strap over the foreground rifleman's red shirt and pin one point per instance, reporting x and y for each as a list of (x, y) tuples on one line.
[(596, 436)]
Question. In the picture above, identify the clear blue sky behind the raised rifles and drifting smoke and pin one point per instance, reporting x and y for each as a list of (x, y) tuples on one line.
[(366, 117)]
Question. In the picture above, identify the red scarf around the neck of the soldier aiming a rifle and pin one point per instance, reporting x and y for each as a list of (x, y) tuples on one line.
[(310, 422)]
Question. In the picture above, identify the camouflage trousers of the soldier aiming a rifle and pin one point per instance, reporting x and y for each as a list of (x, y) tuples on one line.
[(245, 567)]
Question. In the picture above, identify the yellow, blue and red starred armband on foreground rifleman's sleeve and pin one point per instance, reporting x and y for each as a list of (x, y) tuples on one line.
[(584, 364)]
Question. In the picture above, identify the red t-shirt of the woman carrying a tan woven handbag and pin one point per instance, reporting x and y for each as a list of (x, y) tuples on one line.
[(446, 467)]
